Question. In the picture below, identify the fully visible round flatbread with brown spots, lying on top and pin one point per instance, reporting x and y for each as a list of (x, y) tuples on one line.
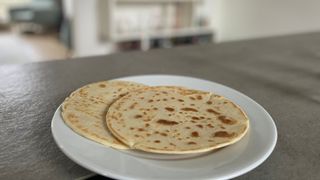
[(176, 120)]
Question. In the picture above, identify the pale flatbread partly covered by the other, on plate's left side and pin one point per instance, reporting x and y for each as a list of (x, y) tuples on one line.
[(85, 109)]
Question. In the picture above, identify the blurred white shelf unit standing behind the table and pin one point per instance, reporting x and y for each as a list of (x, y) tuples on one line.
[(149, 19)]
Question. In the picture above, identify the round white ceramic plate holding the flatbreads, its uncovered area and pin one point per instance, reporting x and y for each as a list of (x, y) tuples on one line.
[(226, 163)]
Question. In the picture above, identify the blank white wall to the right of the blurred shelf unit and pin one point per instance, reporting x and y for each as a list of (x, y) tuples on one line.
[(246, 19)]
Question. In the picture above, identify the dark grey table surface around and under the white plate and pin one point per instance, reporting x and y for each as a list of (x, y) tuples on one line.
[(281, 73)]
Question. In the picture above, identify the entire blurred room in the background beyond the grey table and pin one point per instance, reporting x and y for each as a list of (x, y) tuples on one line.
[(42, 30)]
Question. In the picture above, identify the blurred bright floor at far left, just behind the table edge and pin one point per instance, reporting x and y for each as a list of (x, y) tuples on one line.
[(18, 48)]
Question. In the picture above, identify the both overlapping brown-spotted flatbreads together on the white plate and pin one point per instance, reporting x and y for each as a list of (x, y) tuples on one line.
[(157, 119)]
